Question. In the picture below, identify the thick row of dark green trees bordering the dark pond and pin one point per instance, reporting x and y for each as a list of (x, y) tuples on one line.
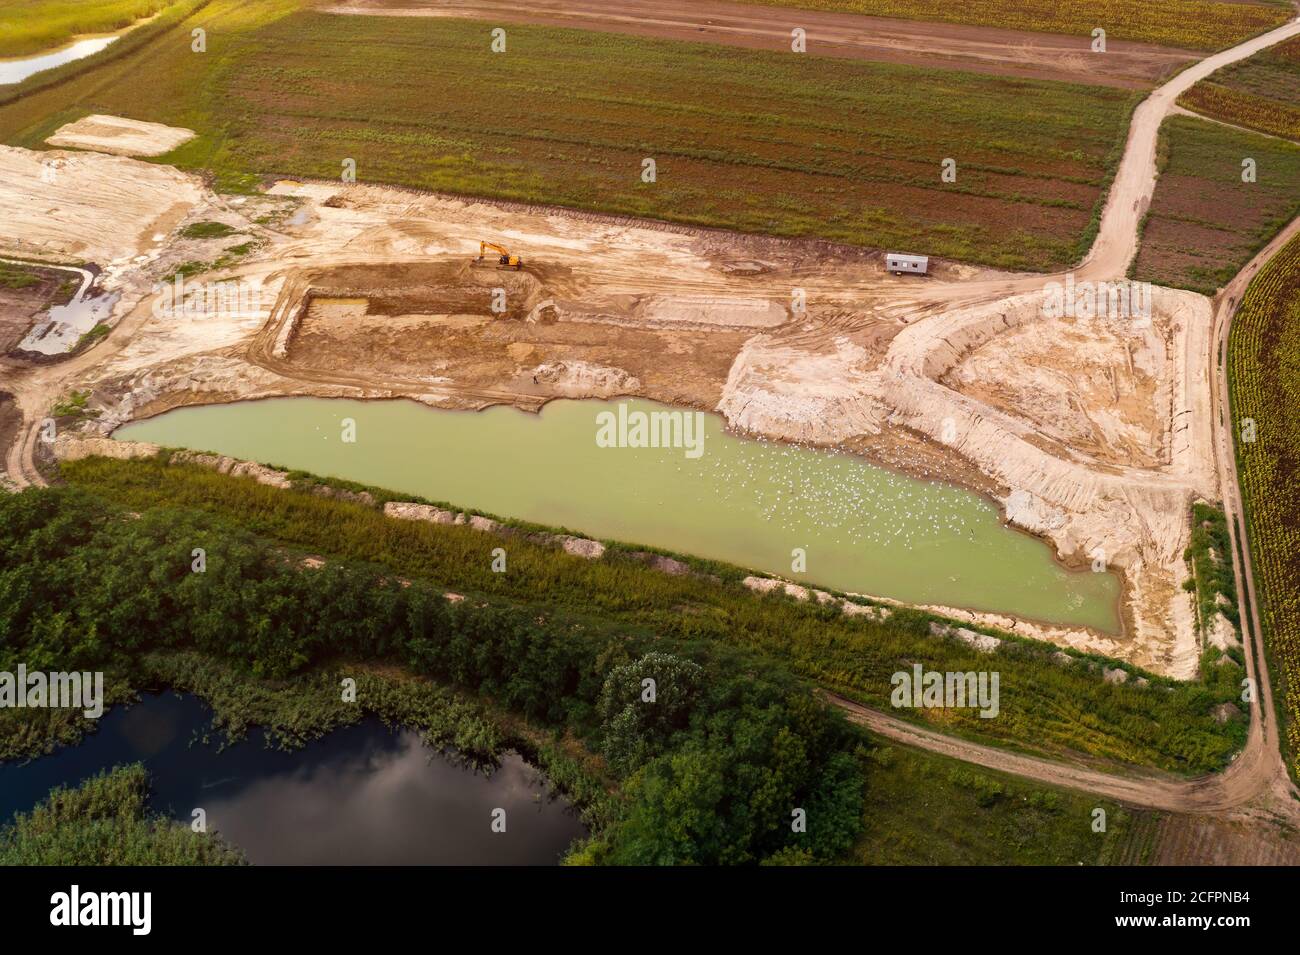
[(722, 756)]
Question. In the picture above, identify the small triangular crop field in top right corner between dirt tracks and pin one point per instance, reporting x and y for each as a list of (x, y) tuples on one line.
[(1262, 93)]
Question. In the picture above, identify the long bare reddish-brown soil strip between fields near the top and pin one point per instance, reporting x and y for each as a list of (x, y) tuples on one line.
[(848, 36)]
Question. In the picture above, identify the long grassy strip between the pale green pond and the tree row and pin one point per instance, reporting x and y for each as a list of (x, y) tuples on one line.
[(1147, 720)]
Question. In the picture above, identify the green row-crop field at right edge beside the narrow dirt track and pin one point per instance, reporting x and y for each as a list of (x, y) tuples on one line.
[(1264, 367)]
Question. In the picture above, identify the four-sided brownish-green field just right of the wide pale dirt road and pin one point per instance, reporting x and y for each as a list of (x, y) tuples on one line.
[(1206, 223)]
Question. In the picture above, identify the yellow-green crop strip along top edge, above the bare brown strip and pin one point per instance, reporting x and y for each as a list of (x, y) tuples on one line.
[(1193, 24)]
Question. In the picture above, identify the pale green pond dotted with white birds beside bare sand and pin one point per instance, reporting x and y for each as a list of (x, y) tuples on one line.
[(864, 529)]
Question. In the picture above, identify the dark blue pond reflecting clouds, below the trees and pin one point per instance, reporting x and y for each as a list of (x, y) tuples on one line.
[(361, 796)]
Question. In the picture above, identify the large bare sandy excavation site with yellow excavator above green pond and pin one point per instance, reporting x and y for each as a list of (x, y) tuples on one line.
[(374, 293)]
